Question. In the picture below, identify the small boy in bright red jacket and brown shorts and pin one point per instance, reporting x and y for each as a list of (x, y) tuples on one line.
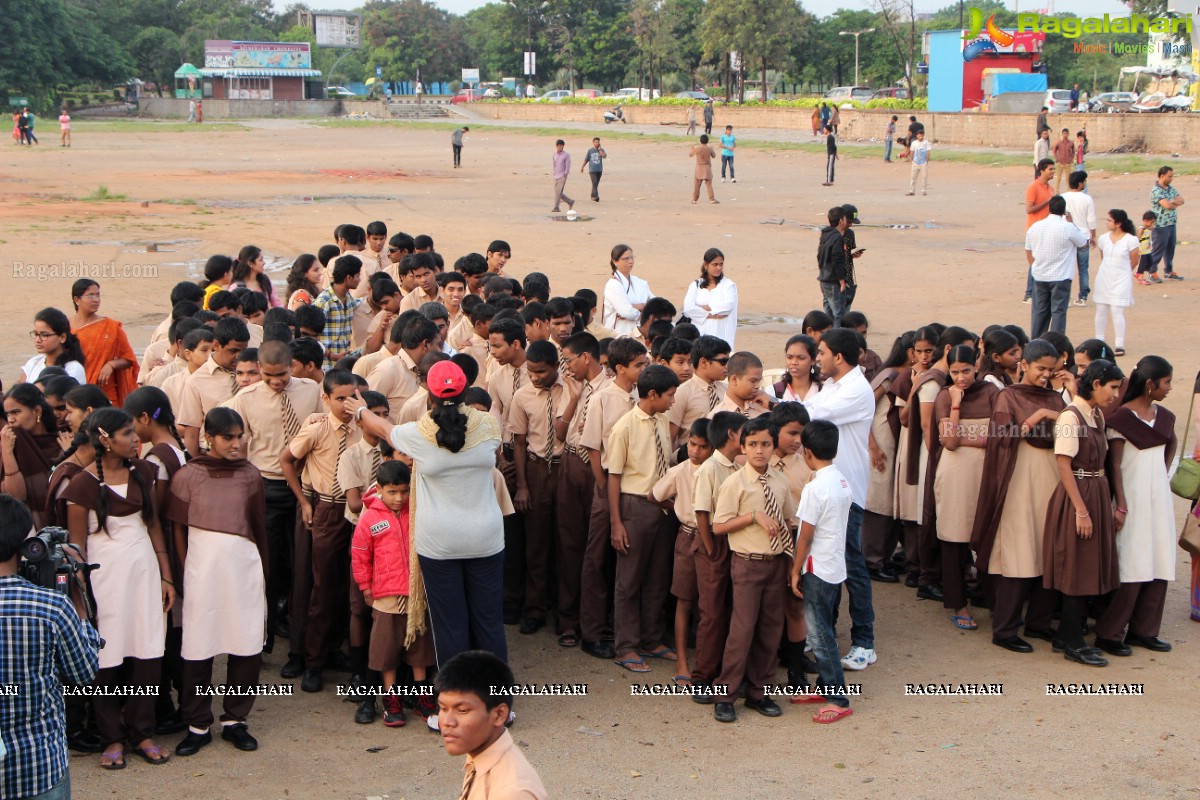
[(380, 556)]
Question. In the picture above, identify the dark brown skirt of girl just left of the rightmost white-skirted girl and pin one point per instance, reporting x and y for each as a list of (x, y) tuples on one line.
[(1081, 568)]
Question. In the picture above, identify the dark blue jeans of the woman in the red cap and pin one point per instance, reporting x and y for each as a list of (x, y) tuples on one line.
[(466, 605)]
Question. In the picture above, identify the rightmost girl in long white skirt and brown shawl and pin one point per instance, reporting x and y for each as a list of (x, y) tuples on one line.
[(1142, 443)]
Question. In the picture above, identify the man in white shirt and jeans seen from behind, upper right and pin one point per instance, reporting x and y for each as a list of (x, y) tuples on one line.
[(1051, 249)]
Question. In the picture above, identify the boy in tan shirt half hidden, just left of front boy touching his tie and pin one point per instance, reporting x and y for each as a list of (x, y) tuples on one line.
[(712, 554)]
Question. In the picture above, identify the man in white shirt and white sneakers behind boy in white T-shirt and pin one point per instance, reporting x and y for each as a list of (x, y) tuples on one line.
[(847, 400)]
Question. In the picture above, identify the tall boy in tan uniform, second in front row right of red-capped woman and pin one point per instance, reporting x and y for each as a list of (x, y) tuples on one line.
[(577, 484)]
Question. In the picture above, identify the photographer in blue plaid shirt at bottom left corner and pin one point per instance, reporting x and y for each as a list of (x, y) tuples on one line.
[(45, 645)]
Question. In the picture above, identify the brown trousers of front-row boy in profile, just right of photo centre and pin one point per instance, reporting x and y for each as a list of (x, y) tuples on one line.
[(644, 576)]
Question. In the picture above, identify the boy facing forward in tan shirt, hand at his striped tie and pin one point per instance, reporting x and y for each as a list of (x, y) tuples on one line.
[(753, 509)]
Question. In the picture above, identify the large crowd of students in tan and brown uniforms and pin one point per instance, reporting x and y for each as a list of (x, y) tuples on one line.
[(239, 497)]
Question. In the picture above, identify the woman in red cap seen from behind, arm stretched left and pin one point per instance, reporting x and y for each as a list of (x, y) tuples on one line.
[(457, 524)]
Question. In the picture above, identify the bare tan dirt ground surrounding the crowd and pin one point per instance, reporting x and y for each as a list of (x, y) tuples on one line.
[(953, 257)]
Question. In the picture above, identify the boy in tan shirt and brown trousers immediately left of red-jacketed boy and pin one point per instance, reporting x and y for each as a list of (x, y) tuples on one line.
[(323, 542)]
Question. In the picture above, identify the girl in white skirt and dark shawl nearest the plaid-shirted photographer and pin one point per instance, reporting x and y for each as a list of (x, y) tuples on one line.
[(113, 521)]
